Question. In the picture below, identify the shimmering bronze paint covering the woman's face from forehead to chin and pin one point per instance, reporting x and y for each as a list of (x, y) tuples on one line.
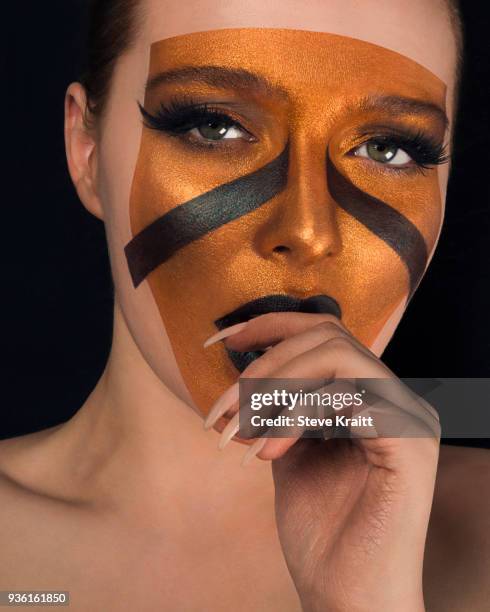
[(217, 226)]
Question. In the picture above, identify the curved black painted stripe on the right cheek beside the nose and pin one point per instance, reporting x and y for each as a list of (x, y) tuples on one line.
[(382, 220)]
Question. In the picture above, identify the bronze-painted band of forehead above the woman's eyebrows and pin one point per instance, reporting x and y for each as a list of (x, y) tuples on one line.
[(293, 60)]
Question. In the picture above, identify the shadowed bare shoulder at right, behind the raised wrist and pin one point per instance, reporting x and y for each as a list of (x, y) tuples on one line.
[(457, 560)]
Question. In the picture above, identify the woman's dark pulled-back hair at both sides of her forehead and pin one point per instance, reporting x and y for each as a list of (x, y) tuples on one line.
[(113, 25)]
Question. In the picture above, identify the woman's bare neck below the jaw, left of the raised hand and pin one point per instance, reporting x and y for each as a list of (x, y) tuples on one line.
[(134, 440)]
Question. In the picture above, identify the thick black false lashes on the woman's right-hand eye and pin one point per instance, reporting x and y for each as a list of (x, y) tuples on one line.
[(425, 151)]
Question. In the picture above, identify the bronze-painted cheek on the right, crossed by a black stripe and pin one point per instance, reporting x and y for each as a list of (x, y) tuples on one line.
[(389, 221)]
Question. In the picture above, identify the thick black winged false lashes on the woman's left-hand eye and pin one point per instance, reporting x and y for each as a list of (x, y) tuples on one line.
[(180, 116)]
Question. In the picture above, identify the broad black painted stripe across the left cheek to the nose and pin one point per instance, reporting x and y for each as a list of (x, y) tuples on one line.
[(204, 214)]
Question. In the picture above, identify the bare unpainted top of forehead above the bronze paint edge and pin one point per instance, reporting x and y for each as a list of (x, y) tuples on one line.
[(418, 29)]
